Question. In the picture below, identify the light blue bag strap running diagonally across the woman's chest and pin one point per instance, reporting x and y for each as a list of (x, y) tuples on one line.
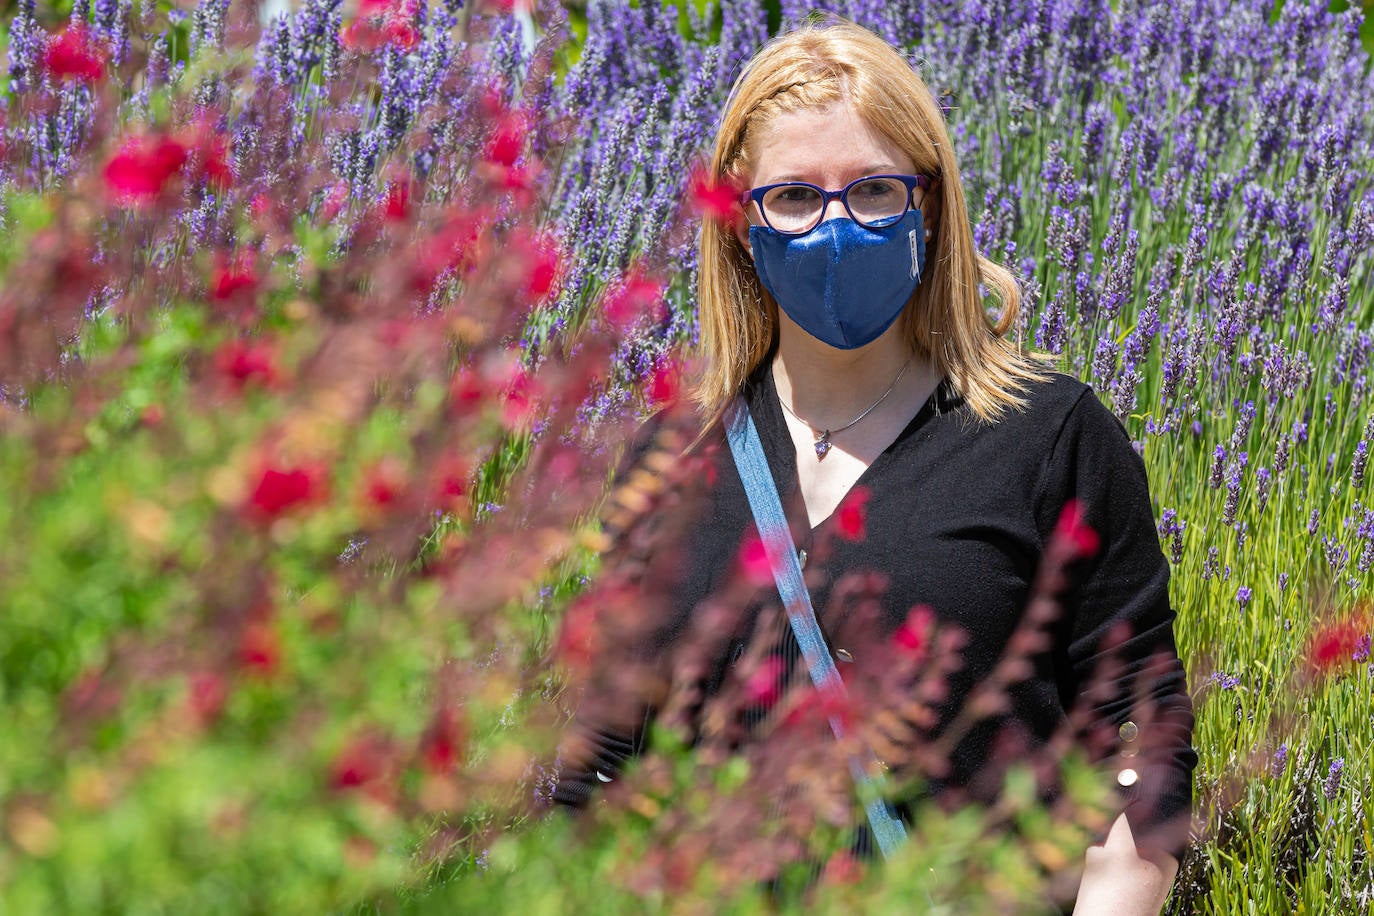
[(782, 558)]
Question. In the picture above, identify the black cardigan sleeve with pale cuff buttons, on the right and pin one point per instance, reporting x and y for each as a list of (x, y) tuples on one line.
[(1115, 652)]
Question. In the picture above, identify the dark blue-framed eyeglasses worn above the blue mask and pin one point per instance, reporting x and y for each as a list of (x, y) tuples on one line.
[(875, 201)]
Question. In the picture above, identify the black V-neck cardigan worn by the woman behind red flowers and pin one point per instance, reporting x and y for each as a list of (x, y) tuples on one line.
[(960, 514)]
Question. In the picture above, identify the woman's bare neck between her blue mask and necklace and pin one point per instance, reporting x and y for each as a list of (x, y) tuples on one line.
[(829, 387)]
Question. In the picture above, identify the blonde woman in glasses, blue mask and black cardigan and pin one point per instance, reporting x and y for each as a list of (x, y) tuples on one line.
[(844, 308)]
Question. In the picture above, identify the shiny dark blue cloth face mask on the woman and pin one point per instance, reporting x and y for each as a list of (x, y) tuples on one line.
[(843, 284)]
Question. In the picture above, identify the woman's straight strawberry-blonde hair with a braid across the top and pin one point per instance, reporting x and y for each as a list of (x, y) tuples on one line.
[(946, 321)]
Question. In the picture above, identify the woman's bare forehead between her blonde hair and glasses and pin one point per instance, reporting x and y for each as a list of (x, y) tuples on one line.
[(831, 145)]
